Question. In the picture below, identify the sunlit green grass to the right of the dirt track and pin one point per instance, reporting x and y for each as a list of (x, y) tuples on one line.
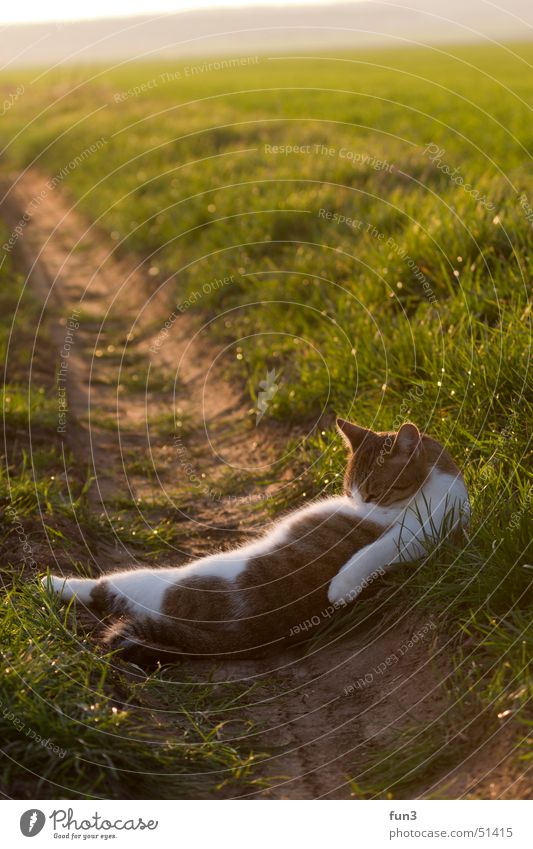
[(186, 180)]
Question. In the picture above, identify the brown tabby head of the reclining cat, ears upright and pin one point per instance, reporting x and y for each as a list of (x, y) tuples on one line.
[(384, 468)]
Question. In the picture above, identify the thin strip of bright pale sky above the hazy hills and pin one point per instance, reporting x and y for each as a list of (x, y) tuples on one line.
[(33, 11)]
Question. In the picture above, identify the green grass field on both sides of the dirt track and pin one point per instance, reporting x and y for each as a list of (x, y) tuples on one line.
[(372, 216)]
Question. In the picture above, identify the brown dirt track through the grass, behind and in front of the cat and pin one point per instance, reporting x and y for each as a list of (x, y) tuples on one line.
[(181, 427)]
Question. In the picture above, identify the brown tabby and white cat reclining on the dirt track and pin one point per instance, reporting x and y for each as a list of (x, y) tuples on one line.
[(401, 492)]
